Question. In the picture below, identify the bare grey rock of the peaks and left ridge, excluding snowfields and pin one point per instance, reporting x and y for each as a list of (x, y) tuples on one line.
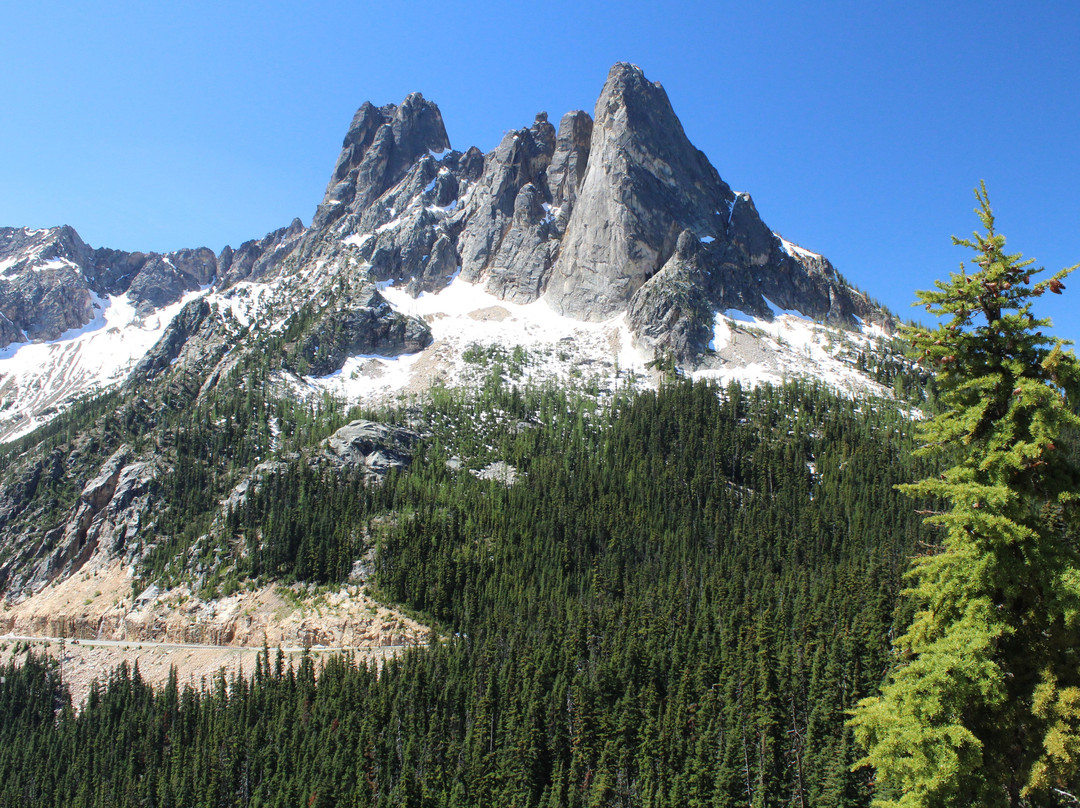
[(589, 217)]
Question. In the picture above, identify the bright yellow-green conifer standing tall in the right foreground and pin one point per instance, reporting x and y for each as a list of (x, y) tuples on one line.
[(983, 708)]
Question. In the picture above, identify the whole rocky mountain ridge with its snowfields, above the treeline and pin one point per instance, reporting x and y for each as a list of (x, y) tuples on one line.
[(612, 219)]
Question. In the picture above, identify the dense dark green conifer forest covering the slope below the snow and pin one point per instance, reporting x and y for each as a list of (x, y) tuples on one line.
[(676, 604)]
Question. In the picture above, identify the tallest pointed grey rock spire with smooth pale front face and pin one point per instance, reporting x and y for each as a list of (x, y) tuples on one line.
[(644, 185)]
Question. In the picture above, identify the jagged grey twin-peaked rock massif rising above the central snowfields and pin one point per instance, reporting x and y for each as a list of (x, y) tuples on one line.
[(590, 218)]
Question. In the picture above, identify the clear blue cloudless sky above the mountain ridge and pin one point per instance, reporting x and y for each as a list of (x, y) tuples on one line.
[(859, 128)]
